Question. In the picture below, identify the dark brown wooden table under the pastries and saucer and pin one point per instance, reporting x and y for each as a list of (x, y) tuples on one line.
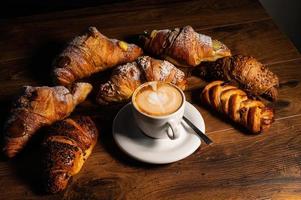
[(236, 166)]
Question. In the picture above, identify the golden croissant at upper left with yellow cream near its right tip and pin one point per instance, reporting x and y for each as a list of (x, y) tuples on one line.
[(91, 53)]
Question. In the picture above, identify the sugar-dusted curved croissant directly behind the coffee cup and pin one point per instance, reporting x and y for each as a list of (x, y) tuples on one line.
[(126, 78)]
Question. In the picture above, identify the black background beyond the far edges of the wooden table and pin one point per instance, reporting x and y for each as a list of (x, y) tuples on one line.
[(285, 13)]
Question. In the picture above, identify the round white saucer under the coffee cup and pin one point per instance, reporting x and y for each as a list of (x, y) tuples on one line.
[(157, 151)]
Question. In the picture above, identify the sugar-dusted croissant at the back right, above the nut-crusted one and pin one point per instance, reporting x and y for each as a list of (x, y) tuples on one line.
[(183, 46)]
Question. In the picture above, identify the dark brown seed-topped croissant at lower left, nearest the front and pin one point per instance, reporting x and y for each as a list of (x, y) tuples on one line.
[(66, 147)]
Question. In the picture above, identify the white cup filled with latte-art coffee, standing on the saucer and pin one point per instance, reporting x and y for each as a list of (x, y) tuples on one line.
[(158, 109)]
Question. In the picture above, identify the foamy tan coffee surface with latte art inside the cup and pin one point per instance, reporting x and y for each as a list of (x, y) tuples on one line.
[(158, 99)]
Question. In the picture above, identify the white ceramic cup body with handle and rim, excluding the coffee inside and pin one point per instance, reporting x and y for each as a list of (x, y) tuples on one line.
[(160, 127)]
